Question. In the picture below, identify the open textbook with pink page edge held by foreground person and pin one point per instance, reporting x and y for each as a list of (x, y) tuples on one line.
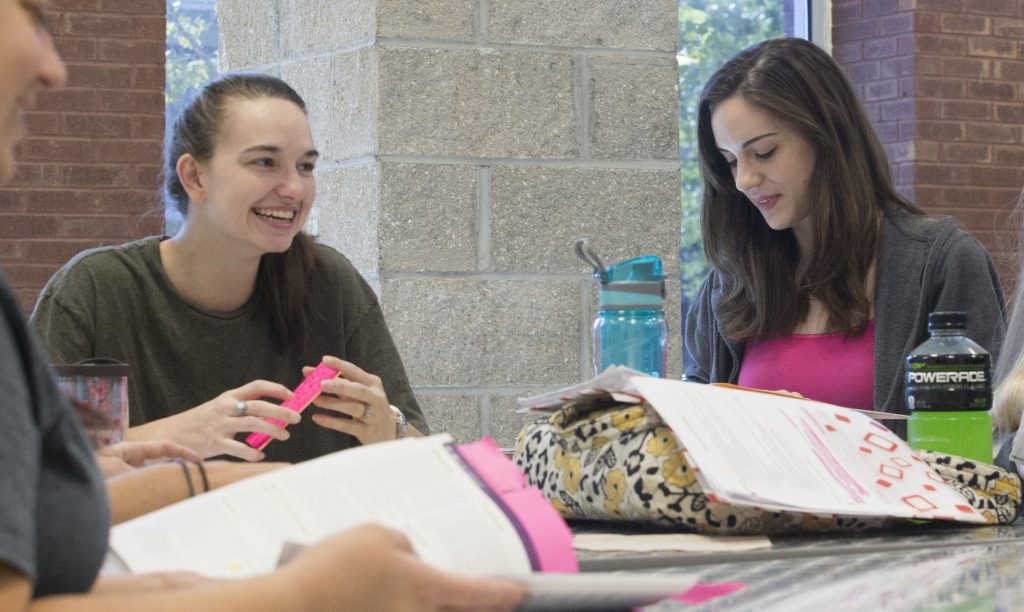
[(465, 509)]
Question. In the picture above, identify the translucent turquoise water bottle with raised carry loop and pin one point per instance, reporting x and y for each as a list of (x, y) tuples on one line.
[(630, 328)]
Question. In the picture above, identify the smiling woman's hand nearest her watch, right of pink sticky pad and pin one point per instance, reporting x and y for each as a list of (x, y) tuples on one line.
[(360, 398)]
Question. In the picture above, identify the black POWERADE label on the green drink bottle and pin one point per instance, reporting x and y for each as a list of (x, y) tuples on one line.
[(949, 383)]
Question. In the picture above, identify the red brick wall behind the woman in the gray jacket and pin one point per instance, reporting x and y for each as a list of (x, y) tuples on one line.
[(945, 83)]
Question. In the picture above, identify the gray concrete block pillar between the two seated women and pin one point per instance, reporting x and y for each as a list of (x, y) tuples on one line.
[(465, 145)]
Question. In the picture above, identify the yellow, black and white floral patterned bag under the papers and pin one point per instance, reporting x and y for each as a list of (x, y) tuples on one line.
[(599, 459)]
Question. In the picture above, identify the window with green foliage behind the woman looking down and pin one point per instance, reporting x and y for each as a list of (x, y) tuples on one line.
[(710, 33)]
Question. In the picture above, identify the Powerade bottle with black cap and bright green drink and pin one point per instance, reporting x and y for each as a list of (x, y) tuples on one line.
[(949, 391)]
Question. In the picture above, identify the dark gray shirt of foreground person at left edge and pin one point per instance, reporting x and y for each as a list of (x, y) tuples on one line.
[(55, 516)]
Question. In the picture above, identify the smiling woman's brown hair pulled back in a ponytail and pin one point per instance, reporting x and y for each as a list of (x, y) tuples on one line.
[(283, 278)]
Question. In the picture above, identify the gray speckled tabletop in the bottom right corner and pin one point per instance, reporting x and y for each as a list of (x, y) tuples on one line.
[(920, 567)]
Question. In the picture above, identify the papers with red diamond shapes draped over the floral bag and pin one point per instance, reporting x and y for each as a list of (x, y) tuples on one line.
[(777, 452)]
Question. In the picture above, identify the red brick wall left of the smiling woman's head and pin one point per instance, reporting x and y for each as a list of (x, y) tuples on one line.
[(89, 172)]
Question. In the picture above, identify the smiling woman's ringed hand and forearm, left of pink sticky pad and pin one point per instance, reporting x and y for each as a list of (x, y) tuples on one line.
[(209, 429)]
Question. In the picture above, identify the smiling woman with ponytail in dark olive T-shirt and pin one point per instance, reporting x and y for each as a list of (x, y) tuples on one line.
[(237, 303)]
